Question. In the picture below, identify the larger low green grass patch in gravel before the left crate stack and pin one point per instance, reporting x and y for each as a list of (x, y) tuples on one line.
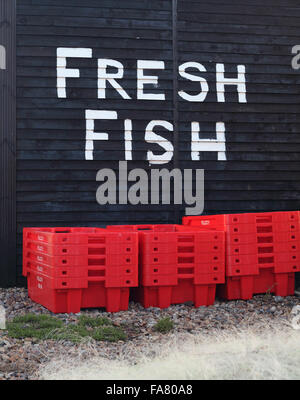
[(47, 327)]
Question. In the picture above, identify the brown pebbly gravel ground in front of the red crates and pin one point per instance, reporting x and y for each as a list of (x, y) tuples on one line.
[(20, 359)]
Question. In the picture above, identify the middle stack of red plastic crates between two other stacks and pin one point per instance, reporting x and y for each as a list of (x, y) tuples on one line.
[(177, 264)]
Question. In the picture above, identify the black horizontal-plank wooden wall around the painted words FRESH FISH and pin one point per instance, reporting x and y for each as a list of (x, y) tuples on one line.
[(56, 186)]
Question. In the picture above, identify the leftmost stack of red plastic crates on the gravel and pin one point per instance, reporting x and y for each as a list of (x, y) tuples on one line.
[(72, 268)]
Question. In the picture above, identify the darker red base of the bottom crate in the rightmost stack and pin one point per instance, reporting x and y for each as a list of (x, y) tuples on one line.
[(244, 287)]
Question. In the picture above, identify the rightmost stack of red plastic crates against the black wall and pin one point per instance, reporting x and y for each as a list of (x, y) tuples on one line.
[(262, 251)]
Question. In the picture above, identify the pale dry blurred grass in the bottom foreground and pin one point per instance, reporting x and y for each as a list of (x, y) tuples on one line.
[(260, 352)]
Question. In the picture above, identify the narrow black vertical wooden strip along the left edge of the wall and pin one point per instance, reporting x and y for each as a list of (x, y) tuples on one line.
[(7, 142)]
